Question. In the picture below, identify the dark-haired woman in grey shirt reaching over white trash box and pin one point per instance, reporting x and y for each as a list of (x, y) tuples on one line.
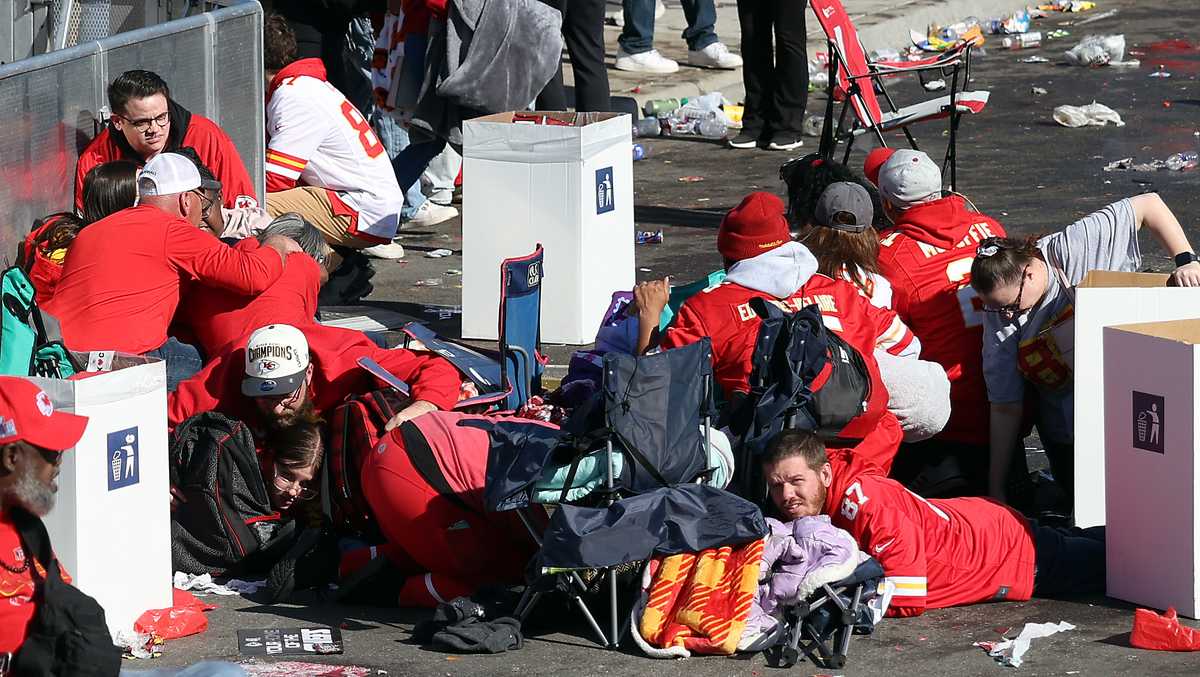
[(1028, 293)]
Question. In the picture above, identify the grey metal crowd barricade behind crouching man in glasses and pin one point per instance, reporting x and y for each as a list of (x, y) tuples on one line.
[(53, 105)]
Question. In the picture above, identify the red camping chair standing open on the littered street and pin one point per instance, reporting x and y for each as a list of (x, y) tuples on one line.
[(856, 79)]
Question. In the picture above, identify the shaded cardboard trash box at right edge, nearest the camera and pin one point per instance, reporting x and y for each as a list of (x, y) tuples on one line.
[(1151, 416)]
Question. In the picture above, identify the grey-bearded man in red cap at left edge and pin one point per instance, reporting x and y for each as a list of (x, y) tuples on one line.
[(33, 439)]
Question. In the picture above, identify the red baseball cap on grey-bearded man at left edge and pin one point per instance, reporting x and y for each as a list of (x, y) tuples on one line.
[(27, 415)]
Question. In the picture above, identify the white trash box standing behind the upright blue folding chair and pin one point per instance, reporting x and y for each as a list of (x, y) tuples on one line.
[(569, 188)]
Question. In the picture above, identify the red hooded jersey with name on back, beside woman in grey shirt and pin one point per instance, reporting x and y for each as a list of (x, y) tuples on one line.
[(933, 296)]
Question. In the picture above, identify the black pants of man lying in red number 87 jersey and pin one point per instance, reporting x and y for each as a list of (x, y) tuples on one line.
[(1070, 561)]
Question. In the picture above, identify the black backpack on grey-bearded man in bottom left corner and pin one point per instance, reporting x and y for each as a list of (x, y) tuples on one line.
[(68, 636)]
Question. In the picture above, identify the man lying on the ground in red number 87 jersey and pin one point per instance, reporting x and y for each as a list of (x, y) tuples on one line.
[(935, 553)]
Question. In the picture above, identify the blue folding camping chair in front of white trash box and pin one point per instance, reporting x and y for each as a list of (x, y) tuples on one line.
[(506, 380)]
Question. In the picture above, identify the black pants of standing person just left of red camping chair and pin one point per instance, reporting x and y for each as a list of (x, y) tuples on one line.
[(776, 76)]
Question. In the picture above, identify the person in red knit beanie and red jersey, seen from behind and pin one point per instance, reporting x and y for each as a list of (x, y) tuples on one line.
[(763, 261)]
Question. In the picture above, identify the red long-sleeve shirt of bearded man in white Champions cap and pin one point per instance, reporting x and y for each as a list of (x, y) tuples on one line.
[(337, 376)]
